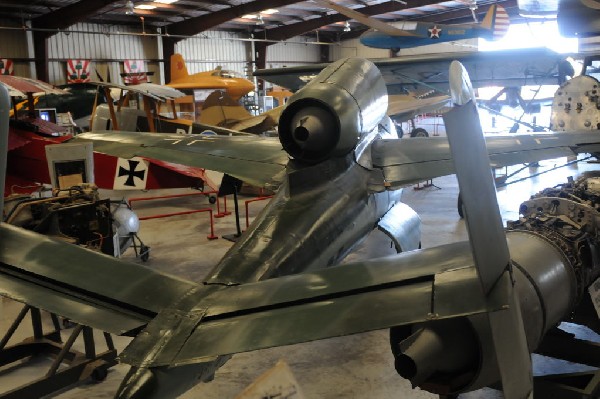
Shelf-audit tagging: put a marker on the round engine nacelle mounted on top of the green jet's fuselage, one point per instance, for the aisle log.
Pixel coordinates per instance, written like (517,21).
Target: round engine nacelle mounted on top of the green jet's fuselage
(329,116)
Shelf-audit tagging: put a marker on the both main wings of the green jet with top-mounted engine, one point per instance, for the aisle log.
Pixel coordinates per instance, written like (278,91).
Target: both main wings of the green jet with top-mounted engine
(257,160)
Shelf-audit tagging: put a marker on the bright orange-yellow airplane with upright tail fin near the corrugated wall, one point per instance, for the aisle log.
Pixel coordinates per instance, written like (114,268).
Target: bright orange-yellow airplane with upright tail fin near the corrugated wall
(218,79)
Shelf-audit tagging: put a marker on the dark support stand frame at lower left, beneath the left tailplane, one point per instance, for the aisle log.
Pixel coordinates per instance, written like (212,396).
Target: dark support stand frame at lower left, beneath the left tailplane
(79,366)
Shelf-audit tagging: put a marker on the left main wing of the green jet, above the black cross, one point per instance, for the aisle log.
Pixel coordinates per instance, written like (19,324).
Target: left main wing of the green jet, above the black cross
(255,160)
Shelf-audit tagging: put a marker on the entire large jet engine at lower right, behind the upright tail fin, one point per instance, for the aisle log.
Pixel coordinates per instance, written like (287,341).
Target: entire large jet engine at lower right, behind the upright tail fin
(554,248)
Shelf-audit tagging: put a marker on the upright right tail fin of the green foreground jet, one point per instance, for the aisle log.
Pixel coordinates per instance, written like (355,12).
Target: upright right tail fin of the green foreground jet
(486,234)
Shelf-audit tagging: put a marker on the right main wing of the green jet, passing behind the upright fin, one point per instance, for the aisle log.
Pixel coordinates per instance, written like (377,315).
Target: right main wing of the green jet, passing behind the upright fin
(413,160)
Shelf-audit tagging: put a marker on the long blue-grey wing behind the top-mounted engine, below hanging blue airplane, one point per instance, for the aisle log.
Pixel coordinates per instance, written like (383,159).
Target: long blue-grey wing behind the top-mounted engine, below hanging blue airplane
(506,68)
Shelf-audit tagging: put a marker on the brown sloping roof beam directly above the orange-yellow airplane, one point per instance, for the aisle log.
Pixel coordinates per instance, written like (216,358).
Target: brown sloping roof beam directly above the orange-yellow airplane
(195,25)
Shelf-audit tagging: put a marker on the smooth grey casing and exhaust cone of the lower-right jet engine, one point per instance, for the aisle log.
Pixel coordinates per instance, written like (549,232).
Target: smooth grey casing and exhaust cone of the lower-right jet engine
(457,358)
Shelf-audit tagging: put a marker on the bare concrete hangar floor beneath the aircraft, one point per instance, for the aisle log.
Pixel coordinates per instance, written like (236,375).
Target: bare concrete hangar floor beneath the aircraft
(359,366)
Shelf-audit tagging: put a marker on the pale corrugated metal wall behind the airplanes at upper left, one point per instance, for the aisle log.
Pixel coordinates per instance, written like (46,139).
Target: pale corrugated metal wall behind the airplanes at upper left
(108,46)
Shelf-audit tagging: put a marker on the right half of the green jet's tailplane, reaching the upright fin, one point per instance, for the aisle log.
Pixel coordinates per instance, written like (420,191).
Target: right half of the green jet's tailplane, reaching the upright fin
(352,298)
